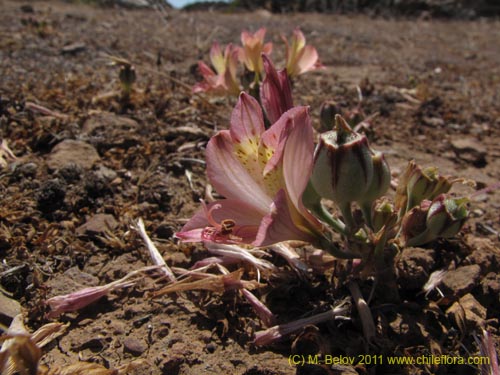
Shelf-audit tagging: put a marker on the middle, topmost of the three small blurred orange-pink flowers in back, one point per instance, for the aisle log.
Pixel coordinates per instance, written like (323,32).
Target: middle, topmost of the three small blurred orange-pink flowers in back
(253,48)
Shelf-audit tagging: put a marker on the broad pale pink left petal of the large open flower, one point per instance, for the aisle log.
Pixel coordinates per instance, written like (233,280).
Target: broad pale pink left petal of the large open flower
(230,177)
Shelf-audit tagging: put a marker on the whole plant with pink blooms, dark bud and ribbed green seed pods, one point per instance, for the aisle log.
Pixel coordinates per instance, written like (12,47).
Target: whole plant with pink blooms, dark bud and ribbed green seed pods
(274,181)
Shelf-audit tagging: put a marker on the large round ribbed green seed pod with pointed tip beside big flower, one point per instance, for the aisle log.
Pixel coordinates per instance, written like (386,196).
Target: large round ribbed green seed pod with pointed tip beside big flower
(343,167)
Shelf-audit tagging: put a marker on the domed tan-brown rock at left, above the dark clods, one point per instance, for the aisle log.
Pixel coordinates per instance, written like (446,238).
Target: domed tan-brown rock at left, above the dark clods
(72,152)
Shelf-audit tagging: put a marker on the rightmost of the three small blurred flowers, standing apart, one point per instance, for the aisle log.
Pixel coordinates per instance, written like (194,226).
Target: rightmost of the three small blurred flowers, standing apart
(299,57)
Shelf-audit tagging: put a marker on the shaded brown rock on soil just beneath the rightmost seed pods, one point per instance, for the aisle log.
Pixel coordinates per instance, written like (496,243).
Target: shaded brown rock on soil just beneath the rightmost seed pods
(414,266)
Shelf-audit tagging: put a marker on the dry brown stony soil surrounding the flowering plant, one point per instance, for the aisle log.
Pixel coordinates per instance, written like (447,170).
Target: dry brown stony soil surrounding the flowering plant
(434,84)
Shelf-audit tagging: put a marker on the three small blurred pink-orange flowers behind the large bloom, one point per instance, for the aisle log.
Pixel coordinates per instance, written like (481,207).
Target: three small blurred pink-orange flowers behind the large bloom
(222,78)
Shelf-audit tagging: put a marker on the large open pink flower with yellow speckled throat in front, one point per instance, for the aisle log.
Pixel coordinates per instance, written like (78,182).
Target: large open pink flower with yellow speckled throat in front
(262,173)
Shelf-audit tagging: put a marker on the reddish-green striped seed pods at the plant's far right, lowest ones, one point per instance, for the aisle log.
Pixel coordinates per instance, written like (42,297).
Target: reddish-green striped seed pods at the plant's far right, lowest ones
(441,218)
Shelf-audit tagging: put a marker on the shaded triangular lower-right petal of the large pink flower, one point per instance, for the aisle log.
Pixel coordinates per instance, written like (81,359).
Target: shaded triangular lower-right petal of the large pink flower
(278,225)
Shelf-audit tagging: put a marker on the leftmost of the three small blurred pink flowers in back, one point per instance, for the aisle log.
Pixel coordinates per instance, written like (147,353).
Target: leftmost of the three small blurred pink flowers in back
(223,80)
